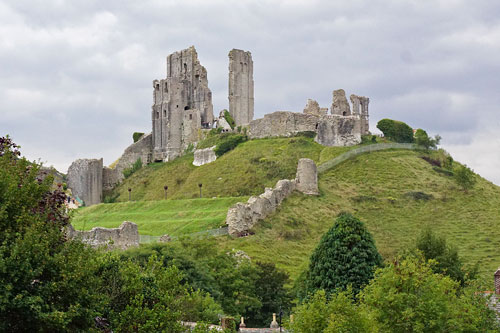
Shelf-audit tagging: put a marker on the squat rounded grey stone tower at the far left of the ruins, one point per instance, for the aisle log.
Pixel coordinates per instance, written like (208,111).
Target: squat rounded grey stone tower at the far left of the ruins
(85,180)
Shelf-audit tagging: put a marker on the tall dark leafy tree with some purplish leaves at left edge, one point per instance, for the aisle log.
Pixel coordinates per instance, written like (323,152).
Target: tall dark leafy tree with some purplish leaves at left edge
(46,283)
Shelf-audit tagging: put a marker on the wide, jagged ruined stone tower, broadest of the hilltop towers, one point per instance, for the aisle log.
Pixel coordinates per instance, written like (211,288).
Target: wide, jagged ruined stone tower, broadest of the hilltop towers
(182,105)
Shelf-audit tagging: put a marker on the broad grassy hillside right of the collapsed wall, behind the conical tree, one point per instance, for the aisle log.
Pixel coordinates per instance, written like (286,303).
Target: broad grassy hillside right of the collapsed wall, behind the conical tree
(373,187)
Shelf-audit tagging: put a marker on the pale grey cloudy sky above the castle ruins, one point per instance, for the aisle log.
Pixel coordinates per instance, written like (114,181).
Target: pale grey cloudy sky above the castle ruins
(76,76)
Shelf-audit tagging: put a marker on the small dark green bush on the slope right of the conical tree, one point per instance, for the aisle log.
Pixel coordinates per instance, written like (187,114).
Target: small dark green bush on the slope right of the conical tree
(446,258)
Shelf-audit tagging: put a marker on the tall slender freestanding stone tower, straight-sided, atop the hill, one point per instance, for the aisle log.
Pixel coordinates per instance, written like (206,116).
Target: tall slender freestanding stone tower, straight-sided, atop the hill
(241,98)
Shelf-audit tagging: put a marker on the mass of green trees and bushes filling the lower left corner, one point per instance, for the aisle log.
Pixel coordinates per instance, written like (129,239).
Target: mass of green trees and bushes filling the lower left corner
(51,284)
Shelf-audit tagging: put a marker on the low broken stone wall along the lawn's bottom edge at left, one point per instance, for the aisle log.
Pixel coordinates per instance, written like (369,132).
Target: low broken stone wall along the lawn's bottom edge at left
(123,237)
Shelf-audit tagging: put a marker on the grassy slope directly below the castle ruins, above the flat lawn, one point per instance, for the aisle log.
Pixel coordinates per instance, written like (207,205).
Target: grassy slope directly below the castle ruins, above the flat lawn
(247,170)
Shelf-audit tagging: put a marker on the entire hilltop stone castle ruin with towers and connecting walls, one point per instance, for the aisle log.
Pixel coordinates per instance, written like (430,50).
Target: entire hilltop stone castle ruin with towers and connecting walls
(182,114)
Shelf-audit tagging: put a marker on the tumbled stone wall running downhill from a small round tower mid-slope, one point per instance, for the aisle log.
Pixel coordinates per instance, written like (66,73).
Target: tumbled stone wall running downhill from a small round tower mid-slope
(243,216)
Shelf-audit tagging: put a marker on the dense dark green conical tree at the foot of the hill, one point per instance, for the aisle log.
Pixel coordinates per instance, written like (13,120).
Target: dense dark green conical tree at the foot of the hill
(345,256)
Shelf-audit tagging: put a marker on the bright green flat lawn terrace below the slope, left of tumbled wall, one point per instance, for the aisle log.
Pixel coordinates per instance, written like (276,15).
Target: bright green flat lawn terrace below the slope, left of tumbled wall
(156,218)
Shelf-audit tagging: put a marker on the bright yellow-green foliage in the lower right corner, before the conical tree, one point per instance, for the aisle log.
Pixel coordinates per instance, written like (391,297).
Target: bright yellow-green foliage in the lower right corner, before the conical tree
(404,296)
